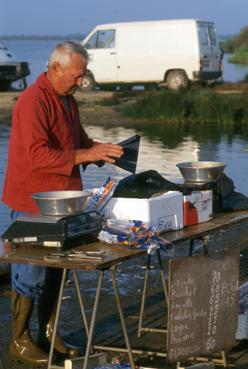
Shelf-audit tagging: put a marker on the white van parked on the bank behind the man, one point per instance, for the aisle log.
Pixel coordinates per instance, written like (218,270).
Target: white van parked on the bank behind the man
(168,51)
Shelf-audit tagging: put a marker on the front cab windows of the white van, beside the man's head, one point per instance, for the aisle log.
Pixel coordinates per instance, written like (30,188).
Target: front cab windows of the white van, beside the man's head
(102,39)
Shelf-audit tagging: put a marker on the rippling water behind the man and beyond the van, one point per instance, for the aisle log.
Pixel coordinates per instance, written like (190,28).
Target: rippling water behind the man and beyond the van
(162,146)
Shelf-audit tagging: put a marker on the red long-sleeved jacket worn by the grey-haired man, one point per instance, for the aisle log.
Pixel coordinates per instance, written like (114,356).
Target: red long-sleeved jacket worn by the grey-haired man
(43,140)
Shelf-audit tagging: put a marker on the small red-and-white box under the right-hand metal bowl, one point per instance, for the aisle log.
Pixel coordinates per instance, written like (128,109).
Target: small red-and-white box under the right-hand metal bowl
(197,207)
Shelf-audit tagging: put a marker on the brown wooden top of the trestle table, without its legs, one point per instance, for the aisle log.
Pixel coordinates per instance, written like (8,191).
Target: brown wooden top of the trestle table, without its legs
(113,254)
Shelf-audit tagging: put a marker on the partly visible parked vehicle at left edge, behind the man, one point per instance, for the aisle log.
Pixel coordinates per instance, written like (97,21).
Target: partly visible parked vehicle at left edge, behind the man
(11,69)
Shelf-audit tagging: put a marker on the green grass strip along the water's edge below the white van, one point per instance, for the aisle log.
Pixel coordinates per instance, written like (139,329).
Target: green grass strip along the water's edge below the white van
(199,106)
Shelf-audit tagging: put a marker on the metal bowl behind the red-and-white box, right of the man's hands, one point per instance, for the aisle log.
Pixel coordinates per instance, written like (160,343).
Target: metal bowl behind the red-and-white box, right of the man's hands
(201,171)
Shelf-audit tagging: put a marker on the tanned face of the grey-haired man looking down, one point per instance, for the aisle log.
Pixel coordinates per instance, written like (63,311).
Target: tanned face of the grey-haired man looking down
(67,78)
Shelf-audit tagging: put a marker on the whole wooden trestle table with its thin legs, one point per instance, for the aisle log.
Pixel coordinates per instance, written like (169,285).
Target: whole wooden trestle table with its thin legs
(113,256)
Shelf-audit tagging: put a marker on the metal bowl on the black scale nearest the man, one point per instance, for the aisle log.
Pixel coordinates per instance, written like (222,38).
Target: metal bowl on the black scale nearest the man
(61,202)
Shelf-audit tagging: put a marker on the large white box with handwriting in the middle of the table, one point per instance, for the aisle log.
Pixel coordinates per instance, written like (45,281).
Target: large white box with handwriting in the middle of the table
(165,211)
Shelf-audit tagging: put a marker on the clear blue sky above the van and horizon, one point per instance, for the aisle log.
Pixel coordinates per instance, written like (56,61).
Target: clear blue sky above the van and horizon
(63,17)
